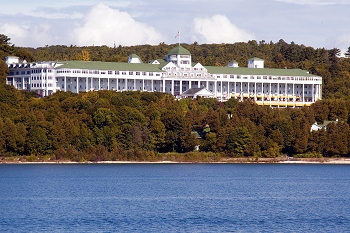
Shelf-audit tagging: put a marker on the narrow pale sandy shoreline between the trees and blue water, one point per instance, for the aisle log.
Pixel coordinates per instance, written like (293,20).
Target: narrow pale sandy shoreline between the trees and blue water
(224,161)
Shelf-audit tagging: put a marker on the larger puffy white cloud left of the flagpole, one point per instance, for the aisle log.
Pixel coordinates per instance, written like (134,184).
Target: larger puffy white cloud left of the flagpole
(104,25)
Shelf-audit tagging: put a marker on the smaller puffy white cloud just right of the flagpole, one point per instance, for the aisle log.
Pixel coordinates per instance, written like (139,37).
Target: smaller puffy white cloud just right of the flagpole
(218,29)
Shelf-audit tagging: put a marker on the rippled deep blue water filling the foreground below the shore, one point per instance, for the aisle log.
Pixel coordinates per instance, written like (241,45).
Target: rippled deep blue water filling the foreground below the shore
(174,198)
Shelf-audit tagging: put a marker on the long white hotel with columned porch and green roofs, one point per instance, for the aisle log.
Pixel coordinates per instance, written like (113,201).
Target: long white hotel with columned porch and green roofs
(174,75)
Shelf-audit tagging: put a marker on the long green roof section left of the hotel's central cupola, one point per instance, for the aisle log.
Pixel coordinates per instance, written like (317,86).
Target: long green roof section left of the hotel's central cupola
(98,65)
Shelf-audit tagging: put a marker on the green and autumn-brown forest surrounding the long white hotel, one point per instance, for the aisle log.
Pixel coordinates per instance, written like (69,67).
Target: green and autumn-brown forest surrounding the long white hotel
(144,126)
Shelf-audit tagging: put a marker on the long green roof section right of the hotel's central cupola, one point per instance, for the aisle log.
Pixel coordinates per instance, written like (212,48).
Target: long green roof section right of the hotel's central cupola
(257,71)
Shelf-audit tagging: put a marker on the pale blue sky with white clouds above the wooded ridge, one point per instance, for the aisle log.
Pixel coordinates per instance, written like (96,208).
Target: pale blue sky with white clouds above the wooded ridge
(37,23)
